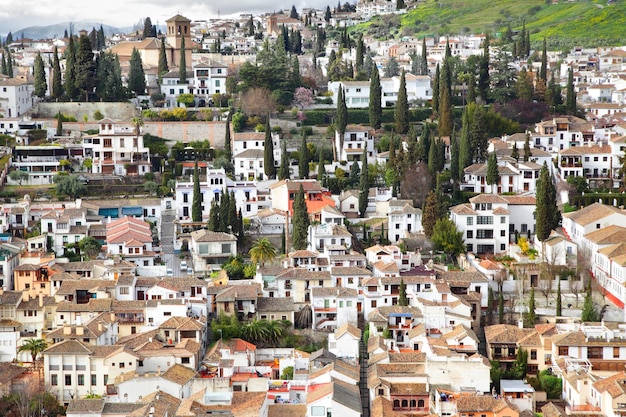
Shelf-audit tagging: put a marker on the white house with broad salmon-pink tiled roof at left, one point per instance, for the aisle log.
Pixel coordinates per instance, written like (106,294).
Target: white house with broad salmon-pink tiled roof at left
(131,239)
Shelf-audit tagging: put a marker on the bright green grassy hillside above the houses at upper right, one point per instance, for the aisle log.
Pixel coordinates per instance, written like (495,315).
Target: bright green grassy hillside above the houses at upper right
(578,22)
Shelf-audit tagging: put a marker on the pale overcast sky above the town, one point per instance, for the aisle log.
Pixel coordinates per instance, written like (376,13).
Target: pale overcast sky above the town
(15,15)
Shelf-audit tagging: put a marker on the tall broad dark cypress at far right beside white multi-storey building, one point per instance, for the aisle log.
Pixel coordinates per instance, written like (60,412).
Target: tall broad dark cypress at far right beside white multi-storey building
(547,214)
